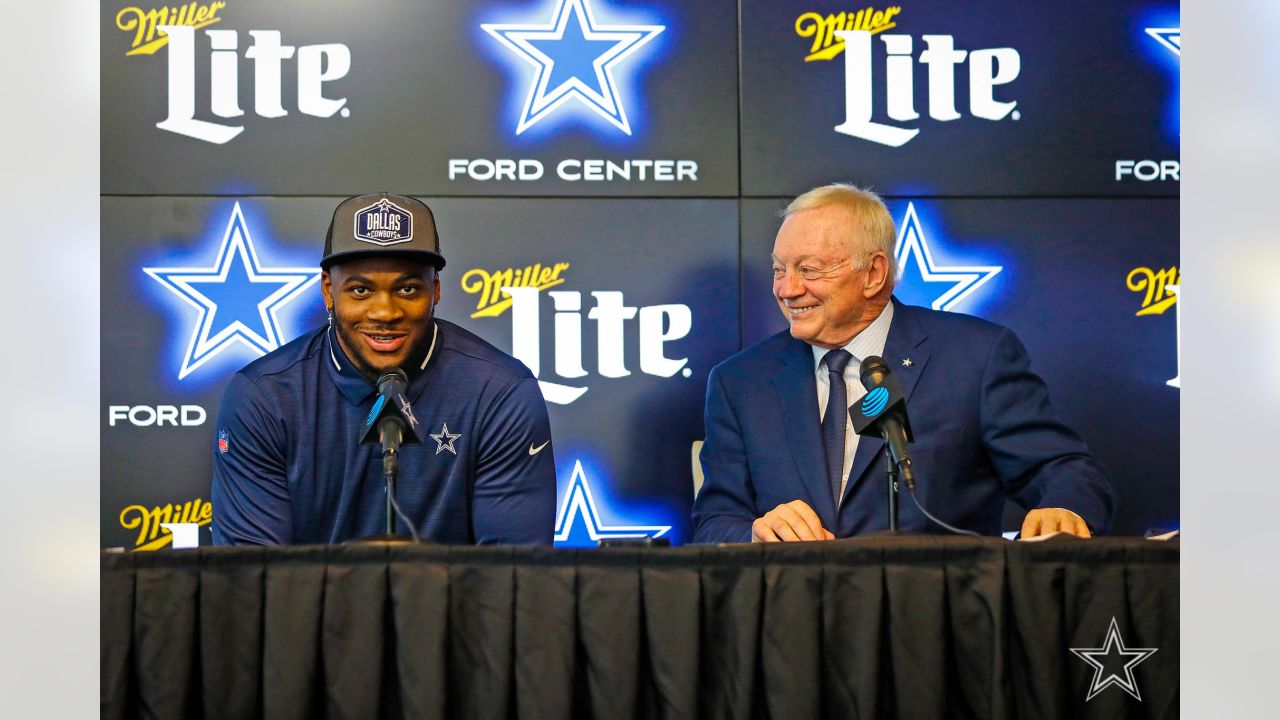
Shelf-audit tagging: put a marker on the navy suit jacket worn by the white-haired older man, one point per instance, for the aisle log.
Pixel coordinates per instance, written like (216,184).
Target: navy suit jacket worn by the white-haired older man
(984,425)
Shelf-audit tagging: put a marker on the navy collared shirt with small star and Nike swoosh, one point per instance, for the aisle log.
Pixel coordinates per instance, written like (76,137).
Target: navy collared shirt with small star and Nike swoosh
(289,467)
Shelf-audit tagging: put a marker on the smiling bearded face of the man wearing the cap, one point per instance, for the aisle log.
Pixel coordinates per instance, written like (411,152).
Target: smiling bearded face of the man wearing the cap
(382,312)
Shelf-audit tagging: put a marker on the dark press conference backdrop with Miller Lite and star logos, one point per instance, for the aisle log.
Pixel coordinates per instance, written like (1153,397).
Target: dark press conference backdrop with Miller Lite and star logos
(623,165)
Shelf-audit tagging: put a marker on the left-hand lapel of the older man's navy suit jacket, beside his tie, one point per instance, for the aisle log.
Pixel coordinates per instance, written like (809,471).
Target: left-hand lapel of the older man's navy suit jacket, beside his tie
(798,399)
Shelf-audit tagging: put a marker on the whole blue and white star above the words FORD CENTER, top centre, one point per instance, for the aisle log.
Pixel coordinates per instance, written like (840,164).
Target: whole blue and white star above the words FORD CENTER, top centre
(574,58)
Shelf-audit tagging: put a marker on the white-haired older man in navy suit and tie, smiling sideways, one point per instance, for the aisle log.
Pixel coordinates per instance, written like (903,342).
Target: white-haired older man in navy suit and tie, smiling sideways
(781,461)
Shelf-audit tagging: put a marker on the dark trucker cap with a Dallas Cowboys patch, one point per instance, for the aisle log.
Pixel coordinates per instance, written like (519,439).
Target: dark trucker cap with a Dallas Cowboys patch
(382,224)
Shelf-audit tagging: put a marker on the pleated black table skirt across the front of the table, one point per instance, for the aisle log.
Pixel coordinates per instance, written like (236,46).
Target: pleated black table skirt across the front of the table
(883,627)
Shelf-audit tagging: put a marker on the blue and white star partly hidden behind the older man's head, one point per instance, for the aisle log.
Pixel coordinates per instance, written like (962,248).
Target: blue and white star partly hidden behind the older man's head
(958,281)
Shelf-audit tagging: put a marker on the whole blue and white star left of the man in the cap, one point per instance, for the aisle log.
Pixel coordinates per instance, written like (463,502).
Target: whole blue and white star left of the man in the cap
(237,299)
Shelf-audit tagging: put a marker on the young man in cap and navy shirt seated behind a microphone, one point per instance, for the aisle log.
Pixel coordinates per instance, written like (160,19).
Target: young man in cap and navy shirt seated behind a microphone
(289,461)
